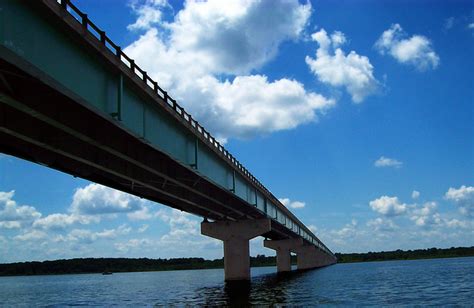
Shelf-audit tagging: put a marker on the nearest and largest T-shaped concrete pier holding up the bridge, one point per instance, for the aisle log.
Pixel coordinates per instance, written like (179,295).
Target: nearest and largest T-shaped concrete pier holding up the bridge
(236,236)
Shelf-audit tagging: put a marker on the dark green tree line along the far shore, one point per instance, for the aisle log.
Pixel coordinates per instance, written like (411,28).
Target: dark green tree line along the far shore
(99,265)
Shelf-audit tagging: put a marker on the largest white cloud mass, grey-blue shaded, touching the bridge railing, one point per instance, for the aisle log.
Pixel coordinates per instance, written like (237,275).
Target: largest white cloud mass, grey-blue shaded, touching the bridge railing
(212,39)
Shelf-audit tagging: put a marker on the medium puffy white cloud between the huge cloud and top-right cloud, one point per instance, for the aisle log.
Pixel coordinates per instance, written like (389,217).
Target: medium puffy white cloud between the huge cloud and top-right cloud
(334,67)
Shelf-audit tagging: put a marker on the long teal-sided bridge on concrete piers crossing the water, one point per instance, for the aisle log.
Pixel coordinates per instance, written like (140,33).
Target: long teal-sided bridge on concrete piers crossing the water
(72,100)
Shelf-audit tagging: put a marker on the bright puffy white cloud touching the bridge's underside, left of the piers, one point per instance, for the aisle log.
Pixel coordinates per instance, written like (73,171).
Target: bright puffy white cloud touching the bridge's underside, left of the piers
(95,199)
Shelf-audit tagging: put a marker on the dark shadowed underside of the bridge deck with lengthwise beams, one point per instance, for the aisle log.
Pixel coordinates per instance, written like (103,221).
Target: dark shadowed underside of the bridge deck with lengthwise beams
(40,123)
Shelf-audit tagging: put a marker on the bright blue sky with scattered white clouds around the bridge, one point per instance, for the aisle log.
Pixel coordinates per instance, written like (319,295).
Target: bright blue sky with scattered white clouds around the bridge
(358,115)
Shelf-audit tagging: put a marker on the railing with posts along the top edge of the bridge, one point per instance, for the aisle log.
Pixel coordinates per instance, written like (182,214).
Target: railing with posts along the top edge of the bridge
(116,50)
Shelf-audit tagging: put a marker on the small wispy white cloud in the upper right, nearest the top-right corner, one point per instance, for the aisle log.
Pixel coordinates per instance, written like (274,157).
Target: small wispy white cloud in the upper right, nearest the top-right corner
(416,50)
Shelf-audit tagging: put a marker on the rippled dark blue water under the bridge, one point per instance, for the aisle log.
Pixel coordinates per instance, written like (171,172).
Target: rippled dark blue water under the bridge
(427,282)
